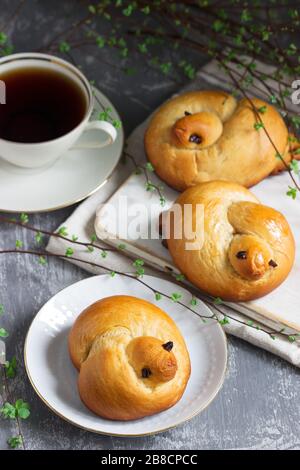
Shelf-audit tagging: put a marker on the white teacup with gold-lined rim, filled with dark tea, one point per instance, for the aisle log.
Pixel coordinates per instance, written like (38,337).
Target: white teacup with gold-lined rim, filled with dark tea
(36,155)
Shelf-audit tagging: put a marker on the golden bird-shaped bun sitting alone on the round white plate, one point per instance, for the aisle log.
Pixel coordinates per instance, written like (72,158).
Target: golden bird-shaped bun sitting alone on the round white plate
(127,367)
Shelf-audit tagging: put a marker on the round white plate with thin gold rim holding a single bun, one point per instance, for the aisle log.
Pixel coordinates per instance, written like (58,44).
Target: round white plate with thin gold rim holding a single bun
(55,379)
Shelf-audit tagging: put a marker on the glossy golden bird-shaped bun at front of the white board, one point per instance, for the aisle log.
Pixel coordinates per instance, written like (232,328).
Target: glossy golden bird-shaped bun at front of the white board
(248,248)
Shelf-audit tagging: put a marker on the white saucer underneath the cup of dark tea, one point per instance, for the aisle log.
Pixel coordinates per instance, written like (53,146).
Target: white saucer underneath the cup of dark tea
(72,178)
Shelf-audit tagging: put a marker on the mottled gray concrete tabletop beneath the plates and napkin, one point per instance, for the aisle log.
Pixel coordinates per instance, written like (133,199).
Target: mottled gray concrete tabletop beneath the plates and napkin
(259,405)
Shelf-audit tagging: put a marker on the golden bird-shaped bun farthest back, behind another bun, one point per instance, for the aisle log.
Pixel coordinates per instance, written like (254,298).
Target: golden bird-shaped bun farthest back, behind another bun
(217,141)
